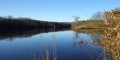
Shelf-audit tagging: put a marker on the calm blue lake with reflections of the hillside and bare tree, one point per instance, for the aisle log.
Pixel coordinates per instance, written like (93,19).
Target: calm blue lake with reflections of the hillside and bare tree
(53,45)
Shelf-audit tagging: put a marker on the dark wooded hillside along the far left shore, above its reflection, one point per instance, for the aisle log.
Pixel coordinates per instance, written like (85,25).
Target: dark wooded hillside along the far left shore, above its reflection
(10,23)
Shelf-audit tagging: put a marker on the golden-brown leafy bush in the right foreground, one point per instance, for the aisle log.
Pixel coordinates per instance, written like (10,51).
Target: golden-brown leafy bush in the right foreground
(111,40)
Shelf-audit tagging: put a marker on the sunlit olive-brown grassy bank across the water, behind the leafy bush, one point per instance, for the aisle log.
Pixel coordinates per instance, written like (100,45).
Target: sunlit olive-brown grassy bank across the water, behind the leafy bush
(88,24)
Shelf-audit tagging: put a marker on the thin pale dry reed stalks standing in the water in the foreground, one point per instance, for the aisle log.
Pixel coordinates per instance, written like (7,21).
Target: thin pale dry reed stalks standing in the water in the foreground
(44,51)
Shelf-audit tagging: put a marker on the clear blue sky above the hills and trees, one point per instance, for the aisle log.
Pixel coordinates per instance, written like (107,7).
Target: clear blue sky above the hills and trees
(55,10)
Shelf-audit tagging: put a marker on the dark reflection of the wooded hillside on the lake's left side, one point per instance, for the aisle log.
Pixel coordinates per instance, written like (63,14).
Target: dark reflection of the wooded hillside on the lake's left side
(11,35)
